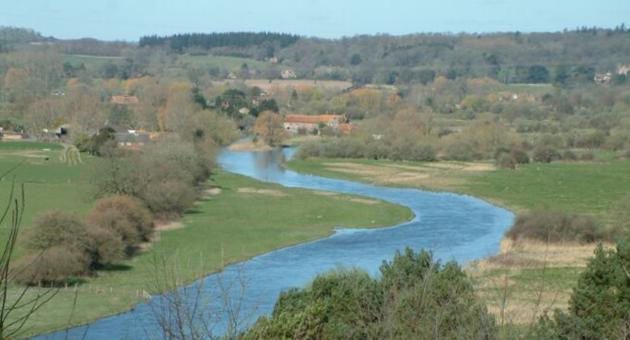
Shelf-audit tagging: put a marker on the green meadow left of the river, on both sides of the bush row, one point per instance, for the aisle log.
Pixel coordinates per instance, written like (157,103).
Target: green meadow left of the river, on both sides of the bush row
(247,218)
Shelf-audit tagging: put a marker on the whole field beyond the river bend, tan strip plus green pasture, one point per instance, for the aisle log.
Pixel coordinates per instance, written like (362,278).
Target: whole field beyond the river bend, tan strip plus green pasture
(580,187)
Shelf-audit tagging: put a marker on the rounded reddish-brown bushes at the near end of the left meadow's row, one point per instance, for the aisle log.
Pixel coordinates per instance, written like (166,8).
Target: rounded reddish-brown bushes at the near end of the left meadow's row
(65,246)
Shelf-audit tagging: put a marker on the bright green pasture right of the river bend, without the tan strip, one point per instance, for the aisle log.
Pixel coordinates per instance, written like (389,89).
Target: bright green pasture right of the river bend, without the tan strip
(585,188)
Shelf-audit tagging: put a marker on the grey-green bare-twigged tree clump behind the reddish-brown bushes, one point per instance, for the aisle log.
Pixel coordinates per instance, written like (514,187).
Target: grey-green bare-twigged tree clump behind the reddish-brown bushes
(163,175)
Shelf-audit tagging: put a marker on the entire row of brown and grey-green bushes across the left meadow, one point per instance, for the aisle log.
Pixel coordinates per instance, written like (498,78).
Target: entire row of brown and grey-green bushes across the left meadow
(134,188)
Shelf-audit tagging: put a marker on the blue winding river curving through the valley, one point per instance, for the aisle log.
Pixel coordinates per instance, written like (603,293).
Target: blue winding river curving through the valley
(454,227)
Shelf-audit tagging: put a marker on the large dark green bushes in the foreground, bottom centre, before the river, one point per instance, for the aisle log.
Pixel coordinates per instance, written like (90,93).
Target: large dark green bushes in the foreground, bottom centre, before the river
(414,298)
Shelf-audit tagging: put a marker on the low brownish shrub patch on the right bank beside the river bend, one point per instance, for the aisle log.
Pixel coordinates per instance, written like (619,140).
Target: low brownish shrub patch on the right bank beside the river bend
(549,226)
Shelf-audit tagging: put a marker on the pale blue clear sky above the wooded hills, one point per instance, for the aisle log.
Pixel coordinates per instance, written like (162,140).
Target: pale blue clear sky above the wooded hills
(131,19)
